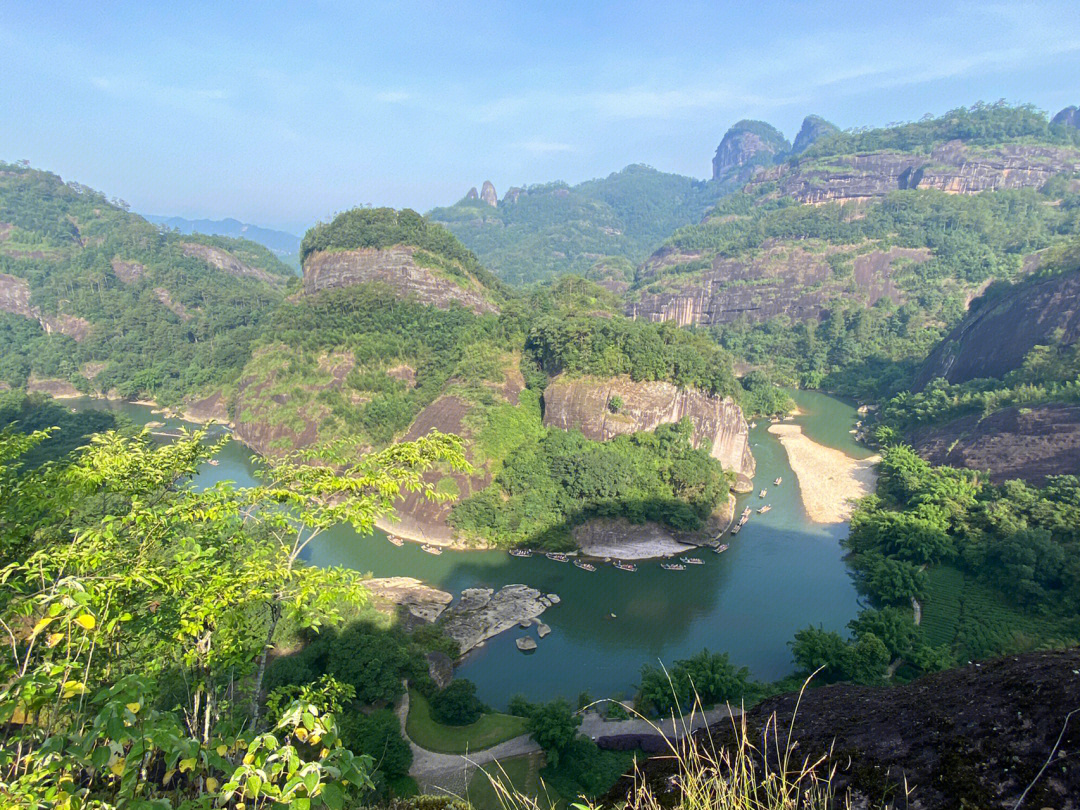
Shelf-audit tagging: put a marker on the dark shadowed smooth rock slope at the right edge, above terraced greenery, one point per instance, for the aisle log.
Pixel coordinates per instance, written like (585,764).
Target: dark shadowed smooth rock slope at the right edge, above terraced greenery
(1001,331)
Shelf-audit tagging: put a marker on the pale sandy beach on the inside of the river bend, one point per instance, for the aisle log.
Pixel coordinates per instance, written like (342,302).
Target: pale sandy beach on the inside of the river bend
(829,479)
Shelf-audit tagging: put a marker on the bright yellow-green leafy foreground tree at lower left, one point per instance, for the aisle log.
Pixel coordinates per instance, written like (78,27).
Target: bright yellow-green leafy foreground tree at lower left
(138,611)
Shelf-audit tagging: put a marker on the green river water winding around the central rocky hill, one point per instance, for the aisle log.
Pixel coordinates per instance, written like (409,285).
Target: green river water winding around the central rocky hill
(781,574)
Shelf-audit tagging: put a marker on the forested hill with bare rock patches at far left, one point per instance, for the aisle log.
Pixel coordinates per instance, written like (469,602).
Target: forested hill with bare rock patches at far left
(98,299)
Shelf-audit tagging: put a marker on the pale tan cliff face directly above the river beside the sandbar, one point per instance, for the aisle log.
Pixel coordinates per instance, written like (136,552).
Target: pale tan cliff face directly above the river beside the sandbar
(719,424)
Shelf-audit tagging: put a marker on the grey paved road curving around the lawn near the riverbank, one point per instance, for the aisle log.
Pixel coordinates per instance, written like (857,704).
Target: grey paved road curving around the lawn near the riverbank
(450,774)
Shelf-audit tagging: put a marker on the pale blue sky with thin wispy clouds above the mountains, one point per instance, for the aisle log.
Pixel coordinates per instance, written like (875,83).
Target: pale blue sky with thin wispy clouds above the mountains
(282,114)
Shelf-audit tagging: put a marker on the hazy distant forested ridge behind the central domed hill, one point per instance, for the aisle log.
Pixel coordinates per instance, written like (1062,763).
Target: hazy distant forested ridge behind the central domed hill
(552,229)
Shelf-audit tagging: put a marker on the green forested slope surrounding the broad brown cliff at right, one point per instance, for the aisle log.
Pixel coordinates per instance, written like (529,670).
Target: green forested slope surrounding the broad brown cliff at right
(870,353)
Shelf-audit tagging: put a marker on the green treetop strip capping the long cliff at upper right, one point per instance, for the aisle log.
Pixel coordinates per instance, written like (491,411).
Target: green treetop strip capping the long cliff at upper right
(979,125)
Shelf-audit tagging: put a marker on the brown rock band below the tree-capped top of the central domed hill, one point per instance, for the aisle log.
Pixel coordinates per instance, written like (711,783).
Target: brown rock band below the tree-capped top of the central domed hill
(398,268)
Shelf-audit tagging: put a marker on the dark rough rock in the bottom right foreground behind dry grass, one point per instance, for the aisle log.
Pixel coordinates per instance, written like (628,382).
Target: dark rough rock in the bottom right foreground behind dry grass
(975,737)
